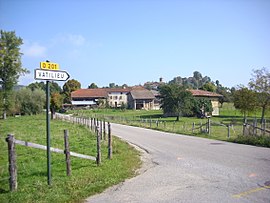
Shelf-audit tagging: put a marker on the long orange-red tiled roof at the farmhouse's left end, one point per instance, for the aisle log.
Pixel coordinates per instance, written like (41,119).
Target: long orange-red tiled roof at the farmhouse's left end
(89,93)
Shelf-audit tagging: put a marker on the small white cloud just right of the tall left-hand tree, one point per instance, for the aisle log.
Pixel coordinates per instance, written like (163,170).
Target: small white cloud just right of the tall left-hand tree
(34,50)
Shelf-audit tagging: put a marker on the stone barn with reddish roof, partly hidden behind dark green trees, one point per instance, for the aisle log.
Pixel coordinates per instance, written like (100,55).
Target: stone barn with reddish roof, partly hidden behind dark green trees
(213,97)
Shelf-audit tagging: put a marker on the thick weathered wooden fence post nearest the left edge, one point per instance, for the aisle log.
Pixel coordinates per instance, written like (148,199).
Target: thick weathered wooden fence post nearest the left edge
(12,163)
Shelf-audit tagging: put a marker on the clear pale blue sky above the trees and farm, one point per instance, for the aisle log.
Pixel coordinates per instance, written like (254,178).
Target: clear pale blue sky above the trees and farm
(135,41)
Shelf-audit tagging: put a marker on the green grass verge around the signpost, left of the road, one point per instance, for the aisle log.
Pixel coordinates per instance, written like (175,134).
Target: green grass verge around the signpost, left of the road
(86,177)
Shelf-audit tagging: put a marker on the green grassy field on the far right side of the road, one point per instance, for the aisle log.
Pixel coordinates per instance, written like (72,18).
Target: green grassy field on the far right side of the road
(186,125)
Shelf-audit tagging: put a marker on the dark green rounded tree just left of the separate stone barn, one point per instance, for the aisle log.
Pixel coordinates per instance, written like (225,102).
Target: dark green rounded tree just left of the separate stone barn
(175,100)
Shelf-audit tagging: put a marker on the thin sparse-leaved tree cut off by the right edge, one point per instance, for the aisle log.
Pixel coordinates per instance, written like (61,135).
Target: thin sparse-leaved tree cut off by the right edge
(260,83)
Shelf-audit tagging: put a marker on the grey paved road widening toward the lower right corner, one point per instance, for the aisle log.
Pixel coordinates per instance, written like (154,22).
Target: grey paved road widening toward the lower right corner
(190,169)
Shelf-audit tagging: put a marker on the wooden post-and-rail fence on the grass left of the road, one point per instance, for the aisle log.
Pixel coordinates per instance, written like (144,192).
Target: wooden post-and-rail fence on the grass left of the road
(93,124)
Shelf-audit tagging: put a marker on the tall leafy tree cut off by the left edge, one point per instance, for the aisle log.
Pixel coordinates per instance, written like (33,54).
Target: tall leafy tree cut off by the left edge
(10,65)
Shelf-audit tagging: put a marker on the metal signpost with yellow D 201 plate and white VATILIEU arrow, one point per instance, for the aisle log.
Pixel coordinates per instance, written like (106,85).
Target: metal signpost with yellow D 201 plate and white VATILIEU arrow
(50,72)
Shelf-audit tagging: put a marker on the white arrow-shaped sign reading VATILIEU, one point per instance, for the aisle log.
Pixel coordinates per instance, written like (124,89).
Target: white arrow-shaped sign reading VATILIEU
(55,75)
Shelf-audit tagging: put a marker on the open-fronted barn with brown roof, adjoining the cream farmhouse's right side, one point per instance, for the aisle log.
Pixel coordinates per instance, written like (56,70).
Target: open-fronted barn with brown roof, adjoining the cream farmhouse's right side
(140,99)
